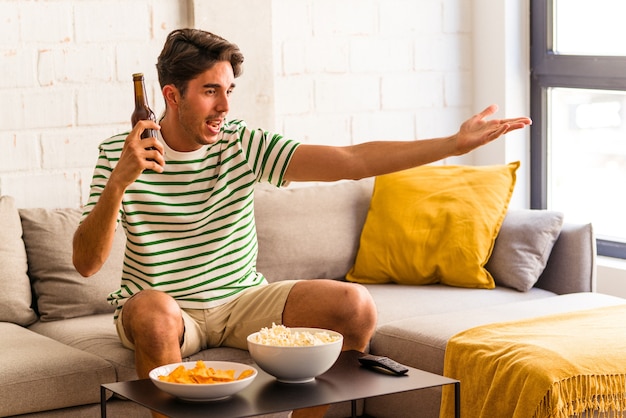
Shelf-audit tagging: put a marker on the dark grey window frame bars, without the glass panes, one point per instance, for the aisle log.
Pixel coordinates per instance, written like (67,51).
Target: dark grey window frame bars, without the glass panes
(549,69)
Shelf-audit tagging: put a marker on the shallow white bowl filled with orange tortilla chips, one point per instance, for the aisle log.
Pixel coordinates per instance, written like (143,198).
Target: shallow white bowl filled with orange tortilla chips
(201,381)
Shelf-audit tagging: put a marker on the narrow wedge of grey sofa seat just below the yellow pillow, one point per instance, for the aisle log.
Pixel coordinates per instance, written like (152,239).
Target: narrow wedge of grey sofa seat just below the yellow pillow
(396,302)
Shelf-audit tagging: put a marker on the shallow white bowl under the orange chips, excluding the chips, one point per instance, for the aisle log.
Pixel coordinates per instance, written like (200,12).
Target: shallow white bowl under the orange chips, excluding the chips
(203,392)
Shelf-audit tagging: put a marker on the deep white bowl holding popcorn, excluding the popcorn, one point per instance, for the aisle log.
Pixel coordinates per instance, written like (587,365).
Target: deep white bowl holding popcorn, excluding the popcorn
(296,364)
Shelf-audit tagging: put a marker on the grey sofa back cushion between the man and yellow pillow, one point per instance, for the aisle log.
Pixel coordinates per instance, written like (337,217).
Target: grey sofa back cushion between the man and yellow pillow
(310,232)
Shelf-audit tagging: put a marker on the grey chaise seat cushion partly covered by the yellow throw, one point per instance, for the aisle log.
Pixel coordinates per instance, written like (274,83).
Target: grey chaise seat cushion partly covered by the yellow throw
(421,342)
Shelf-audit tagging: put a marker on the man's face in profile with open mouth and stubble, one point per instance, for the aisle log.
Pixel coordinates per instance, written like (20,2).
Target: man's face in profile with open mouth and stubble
(203,108)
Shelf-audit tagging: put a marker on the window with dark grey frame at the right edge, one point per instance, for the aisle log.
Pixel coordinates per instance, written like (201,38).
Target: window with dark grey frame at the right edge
(578,106)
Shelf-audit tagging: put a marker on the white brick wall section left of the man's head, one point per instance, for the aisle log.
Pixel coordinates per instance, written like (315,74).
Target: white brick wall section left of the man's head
(66,84)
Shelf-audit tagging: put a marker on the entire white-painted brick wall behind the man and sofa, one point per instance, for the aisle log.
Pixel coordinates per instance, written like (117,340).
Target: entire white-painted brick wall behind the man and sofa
(340,72)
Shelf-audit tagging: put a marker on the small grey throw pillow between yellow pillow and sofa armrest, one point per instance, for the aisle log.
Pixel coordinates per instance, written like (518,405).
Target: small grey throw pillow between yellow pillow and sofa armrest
(523,246)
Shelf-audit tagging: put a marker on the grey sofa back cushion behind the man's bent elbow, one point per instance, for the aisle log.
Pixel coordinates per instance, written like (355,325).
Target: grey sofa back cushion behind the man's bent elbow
(60,291)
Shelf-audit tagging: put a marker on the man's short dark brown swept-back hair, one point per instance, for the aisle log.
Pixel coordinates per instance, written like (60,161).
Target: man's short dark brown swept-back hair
(189,52)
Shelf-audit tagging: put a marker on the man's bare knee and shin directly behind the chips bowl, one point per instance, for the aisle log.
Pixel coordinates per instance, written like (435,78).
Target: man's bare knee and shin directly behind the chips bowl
(153,323)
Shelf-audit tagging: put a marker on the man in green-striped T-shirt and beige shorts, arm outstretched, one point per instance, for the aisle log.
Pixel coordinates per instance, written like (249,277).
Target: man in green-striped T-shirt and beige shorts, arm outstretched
(185,199)
